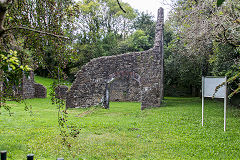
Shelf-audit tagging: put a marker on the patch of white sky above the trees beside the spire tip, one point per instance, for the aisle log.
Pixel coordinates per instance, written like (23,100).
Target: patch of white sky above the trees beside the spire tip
(150,6)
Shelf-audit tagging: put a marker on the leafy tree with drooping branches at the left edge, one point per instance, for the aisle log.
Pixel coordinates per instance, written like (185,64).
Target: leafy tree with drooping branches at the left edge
(28,28)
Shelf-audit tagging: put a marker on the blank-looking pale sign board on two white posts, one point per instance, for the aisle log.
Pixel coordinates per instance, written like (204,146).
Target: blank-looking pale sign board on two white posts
(209,85)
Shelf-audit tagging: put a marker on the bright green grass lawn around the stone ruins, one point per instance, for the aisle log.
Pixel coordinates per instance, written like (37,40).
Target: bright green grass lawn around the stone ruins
(173,131)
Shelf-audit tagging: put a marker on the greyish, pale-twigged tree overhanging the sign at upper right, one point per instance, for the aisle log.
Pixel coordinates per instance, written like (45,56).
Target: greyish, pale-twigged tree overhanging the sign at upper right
(202,28)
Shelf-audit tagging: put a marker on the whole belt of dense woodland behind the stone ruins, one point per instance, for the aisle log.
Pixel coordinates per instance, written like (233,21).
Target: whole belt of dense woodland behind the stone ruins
(56,37)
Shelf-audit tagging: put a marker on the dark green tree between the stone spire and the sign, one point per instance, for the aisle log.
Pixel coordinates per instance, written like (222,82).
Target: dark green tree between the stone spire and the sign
(182,72)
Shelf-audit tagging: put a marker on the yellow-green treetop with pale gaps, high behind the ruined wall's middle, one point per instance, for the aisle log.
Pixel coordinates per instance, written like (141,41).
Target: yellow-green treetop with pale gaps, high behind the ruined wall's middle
(103,16)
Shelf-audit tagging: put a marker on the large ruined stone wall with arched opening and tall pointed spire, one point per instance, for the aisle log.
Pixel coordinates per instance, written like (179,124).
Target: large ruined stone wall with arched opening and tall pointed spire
(143,70)
